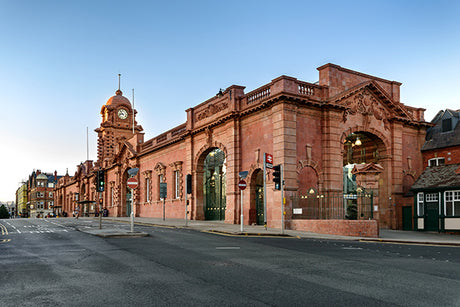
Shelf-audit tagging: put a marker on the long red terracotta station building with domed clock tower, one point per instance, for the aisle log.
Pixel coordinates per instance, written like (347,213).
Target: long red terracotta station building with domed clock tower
(346,133)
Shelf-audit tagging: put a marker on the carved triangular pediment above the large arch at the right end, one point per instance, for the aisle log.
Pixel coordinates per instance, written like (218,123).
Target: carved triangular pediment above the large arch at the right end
(369,99)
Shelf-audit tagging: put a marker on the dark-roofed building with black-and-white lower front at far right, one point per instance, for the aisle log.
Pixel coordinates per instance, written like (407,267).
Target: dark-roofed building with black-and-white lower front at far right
(437,190)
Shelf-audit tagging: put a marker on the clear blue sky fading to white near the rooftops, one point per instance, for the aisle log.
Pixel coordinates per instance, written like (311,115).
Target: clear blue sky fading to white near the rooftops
(60,60)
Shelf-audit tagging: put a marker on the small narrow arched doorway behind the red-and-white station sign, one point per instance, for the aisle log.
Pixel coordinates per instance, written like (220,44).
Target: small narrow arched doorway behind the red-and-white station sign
(256,214)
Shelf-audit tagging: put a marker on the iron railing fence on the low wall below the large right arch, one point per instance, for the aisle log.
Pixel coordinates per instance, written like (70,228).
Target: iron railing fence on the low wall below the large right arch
(333,205)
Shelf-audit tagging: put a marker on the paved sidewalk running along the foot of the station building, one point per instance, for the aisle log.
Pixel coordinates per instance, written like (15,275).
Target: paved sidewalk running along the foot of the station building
(386,235)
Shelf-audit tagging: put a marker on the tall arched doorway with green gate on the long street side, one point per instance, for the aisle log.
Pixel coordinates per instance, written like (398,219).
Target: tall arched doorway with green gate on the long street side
(214,185)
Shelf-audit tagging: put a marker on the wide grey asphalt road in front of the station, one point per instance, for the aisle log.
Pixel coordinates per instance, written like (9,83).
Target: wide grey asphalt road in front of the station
(47,262)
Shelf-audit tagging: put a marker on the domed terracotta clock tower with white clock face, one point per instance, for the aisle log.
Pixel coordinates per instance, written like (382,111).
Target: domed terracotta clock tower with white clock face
(118,124)
